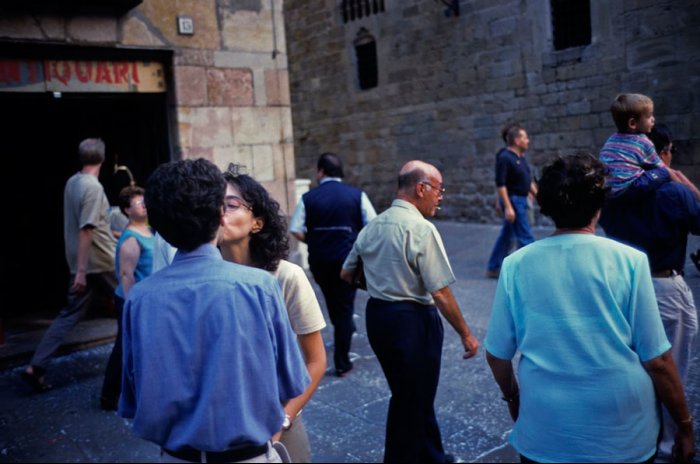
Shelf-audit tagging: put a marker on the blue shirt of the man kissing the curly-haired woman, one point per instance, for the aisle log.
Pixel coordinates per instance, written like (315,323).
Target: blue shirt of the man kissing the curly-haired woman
(209,355)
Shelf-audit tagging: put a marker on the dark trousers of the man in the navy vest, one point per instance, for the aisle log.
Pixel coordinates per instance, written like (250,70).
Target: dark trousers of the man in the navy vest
(340,301)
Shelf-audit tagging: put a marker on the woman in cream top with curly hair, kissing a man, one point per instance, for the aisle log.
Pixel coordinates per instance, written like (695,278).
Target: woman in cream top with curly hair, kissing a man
(255,234)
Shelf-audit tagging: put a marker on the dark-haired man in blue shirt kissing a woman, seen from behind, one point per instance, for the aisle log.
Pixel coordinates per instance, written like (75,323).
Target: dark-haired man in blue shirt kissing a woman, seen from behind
(209,354)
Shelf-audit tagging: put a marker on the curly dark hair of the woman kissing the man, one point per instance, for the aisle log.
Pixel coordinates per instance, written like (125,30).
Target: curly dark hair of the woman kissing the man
(271,244)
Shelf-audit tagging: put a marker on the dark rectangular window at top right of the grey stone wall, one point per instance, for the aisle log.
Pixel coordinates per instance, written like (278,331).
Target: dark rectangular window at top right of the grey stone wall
(571,23)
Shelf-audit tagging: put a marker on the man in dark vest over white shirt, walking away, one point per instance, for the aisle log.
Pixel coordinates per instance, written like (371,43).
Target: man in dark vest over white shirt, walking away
(328,218)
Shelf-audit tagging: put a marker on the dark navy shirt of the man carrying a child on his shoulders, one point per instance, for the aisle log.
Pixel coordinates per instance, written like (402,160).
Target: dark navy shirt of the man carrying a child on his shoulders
(657,223)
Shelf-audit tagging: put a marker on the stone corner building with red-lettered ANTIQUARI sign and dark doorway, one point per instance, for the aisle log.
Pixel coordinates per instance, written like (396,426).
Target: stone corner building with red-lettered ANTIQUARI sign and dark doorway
(157,80)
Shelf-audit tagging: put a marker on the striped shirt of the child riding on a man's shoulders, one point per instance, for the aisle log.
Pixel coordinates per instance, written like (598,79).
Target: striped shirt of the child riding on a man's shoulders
(627,156)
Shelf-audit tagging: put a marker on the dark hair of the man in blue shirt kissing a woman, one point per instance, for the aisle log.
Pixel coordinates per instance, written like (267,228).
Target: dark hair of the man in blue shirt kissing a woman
(185,201)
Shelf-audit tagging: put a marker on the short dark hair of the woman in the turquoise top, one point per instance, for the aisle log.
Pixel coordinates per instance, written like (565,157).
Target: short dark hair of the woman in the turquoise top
(572,190)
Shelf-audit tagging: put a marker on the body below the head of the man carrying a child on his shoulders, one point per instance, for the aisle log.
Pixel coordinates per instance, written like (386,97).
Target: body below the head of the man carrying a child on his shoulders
(658,223)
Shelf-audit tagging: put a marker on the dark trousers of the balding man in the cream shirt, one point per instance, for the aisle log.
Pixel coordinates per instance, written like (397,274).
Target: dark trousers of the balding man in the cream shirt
(407,339)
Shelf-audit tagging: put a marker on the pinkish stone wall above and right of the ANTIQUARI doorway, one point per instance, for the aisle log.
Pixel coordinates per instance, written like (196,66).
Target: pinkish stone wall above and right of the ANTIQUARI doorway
(231,89)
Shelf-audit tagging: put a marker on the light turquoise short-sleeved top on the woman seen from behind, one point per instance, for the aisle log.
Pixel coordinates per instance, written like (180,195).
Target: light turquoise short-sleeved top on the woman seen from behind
(581,311)
